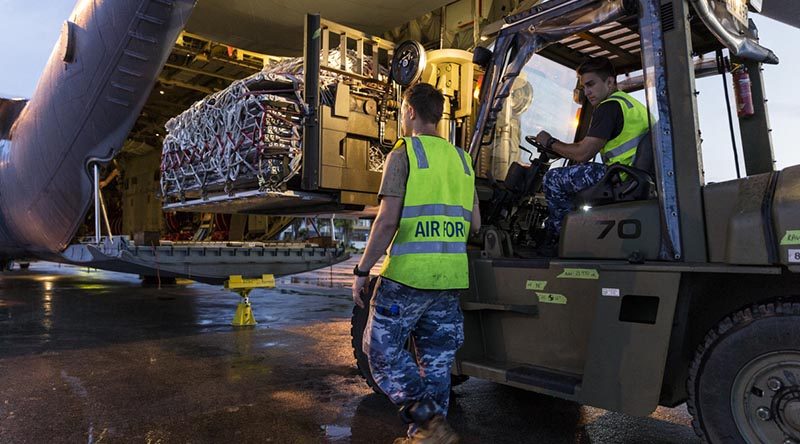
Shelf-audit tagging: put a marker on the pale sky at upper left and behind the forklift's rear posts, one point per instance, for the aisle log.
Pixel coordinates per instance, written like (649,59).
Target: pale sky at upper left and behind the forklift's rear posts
(28,34)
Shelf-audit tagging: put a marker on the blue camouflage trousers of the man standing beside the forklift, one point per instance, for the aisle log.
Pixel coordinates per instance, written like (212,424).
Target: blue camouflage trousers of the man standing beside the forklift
(434,321)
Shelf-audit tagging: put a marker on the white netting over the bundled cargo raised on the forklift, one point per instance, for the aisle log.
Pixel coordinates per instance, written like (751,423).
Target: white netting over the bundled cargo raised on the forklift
(248,135)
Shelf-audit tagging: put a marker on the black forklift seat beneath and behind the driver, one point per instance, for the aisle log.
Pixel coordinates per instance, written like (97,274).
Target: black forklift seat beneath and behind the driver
(639,184)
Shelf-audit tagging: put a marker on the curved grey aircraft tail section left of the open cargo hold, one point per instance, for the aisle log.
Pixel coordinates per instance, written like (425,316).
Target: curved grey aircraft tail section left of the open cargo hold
(94,86)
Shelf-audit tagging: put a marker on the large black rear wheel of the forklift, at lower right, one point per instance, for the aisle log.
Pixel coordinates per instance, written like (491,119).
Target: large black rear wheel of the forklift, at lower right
(744,382)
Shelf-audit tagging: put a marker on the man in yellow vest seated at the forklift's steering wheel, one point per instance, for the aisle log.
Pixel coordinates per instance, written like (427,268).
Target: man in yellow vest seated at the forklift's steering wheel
(618,123)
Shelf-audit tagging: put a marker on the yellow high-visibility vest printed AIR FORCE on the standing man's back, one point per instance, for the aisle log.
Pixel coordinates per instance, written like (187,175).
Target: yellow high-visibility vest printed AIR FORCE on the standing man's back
(429,250)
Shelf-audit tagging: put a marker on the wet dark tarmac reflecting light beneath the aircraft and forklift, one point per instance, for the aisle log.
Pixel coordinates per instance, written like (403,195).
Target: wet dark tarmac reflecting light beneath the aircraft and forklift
(96,357)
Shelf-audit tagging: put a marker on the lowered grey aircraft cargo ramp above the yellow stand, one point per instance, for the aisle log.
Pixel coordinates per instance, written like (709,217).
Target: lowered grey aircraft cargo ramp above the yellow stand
(209,262)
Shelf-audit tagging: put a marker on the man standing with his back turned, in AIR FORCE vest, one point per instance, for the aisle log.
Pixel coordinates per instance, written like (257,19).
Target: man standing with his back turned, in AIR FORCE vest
(428,208)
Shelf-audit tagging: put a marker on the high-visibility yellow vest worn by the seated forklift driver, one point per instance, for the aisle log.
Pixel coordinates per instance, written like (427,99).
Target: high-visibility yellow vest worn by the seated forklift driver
(622,149)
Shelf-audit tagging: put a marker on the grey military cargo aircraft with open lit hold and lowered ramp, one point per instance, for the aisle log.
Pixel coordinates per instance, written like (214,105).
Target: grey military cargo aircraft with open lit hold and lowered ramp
(121,69)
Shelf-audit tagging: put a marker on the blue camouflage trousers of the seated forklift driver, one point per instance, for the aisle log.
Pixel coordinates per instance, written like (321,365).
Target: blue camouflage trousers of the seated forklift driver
(561,185)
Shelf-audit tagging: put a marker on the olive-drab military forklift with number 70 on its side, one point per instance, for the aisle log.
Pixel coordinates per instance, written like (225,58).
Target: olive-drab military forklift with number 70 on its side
(665,289)
